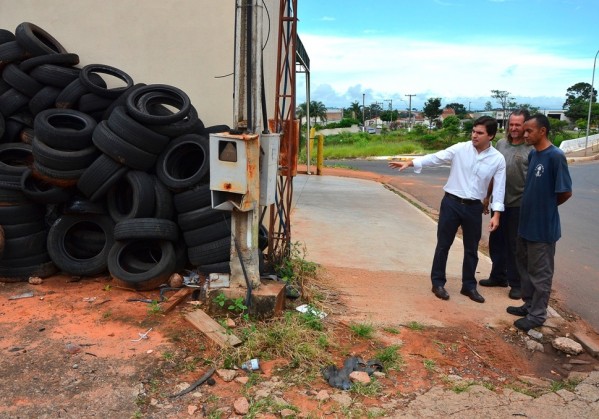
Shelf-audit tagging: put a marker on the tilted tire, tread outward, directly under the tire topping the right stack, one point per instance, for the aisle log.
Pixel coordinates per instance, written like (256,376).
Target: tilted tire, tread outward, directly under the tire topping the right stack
(135,133)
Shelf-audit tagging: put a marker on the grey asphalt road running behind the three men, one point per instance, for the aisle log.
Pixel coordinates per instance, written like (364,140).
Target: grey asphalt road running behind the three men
(576,280)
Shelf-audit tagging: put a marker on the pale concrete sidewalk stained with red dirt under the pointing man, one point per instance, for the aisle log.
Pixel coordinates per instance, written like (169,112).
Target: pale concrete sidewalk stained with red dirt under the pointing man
(369,230)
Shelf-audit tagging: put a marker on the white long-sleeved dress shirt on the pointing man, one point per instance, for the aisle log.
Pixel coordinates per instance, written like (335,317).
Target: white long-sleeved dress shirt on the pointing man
(471,171)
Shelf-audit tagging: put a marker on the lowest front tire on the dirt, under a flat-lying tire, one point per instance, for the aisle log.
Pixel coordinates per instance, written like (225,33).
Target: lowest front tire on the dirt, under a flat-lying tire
(128,275)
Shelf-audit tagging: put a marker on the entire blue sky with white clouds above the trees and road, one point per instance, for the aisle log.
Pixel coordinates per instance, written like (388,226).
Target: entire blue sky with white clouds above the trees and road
(458,50)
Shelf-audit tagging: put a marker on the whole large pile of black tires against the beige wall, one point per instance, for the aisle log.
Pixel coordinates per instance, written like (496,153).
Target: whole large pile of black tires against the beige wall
(96,178)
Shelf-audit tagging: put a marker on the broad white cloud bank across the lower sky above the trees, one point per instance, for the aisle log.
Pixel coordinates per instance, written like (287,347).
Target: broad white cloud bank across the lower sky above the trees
(387,66)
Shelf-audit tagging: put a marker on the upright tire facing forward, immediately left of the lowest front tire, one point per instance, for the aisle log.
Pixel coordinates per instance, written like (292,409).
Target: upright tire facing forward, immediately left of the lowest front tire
(59,235)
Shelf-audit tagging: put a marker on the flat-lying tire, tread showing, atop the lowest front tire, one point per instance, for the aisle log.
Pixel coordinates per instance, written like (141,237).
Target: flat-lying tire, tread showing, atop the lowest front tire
(146,228)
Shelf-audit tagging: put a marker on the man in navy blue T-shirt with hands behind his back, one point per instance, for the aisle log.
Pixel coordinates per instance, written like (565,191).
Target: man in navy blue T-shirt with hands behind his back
(548,185)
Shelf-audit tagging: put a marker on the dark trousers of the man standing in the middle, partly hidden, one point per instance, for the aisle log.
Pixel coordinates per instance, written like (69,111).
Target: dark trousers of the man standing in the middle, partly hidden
(502,248)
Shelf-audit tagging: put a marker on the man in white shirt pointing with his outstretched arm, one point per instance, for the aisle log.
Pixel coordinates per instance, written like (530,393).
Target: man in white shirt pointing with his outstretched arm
(473,165)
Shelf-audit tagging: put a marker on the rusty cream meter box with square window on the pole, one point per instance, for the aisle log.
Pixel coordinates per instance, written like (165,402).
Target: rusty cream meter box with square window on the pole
(234,171)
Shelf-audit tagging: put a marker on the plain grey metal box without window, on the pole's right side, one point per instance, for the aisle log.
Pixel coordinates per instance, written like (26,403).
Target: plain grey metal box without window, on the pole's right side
(269,167)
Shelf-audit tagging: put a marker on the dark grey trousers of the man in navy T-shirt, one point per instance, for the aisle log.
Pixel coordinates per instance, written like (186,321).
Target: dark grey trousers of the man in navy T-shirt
(536,263)
